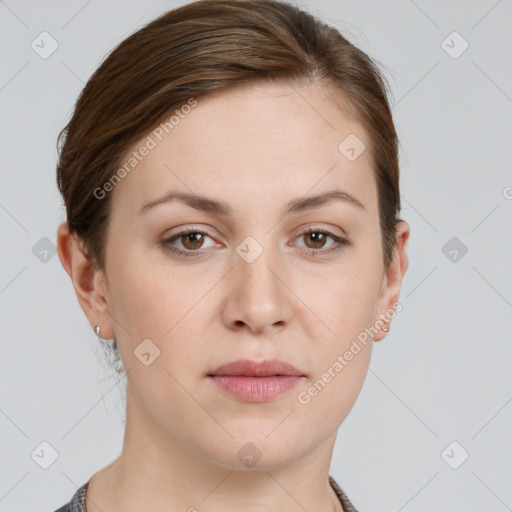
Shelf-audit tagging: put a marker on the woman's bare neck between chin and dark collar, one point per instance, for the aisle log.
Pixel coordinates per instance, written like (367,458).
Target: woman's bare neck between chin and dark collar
(158,470)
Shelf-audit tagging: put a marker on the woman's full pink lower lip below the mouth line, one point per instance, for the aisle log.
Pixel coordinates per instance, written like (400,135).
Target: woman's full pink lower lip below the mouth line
(255,389)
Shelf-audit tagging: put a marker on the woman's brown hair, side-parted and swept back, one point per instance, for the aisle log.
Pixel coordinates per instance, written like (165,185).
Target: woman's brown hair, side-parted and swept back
(204,46)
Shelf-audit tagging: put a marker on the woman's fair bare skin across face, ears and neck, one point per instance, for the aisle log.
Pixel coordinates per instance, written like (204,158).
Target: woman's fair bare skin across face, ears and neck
(256,147)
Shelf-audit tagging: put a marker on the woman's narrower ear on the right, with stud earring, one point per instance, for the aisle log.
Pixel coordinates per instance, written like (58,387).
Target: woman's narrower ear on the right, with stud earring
(392,280)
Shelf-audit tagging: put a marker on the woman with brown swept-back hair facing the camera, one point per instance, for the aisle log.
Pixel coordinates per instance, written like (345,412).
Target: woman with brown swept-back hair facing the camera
(231,182)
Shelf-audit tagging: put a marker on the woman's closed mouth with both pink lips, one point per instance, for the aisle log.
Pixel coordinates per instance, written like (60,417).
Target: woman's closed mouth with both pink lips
(250,381)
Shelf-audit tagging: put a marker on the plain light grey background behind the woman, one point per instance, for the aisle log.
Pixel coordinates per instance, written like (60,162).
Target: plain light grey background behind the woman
(442,374)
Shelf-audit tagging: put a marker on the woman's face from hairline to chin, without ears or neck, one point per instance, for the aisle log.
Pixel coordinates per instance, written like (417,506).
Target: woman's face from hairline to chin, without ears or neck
(260,275)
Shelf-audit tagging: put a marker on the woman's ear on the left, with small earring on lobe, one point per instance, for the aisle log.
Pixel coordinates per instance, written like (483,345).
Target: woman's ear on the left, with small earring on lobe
(89,283)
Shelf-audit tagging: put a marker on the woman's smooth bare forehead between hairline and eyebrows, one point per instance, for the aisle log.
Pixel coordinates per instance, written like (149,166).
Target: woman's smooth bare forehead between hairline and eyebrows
(261,143)
